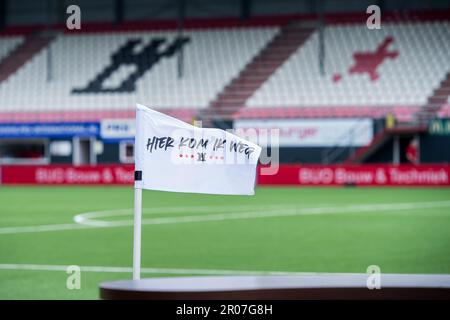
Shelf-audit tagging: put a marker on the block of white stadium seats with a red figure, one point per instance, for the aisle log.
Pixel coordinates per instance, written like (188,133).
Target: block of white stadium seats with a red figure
(408,61)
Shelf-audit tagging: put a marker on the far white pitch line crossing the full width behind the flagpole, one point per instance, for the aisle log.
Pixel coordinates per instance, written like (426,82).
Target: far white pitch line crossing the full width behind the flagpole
(258,212)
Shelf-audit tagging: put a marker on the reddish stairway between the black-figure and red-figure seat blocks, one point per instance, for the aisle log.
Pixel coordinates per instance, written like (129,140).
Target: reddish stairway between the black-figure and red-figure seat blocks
(257,71)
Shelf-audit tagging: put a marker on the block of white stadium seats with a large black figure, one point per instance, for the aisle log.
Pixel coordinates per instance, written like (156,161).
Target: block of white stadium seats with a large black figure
(209,63)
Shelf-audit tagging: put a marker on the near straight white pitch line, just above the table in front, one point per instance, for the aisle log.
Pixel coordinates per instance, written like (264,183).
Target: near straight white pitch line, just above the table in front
(102,269)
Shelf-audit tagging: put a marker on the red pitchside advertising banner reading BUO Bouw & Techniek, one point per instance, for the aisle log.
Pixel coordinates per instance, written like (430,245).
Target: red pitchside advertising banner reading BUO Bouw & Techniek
(303,175)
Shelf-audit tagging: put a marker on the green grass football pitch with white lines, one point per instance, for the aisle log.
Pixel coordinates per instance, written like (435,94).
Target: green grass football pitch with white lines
(278,229)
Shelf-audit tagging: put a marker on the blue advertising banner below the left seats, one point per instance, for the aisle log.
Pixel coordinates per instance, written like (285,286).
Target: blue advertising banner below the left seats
(49,130)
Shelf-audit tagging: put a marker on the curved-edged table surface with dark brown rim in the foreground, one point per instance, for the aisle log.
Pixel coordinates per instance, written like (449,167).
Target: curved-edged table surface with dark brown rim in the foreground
(339,286)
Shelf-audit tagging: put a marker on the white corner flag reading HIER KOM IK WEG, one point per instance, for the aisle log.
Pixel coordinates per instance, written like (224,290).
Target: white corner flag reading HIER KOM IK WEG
(175,156)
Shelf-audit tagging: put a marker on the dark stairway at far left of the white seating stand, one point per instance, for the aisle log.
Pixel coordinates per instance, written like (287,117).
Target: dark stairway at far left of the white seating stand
(23,53)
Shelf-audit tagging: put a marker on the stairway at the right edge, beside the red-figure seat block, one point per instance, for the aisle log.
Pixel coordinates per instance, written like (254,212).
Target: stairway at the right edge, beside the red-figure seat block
(435,102)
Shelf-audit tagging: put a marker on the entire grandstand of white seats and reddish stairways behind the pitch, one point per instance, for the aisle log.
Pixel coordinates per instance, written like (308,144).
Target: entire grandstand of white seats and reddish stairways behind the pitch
(311,64)
